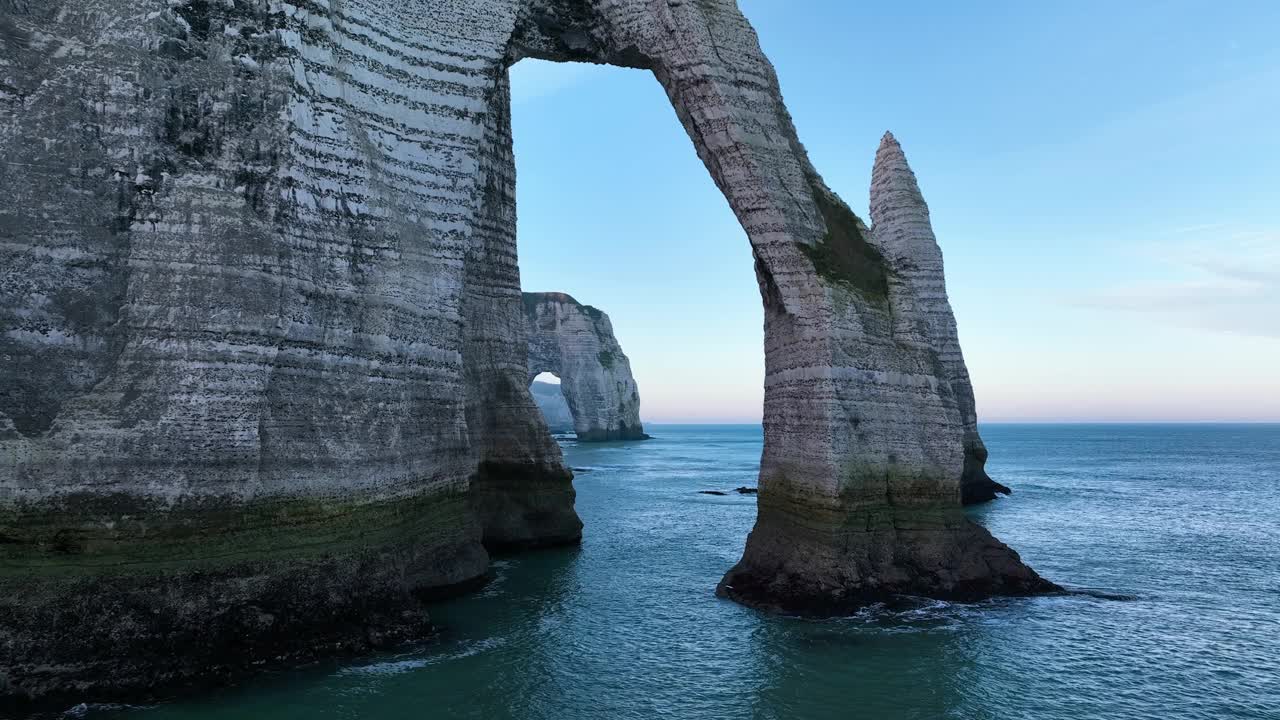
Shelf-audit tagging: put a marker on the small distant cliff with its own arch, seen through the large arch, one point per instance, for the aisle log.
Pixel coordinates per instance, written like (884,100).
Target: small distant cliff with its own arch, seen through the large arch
(577,344)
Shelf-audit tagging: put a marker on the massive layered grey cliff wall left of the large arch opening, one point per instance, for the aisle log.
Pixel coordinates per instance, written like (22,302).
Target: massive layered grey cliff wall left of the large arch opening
(262,344)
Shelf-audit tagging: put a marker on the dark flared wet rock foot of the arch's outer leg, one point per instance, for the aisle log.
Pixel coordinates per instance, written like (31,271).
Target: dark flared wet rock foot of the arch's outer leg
(813,571)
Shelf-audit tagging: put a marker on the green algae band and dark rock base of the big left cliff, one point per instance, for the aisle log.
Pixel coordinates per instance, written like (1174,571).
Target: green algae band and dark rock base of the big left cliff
(149,609)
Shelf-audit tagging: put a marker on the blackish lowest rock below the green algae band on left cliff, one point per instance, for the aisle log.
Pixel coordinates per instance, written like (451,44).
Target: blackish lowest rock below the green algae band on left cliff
(140,639)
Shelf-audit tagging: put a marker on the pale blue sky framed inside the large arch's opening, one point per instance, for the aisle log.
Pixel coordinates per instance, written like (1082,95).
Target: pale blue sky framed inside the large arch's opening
(666,261)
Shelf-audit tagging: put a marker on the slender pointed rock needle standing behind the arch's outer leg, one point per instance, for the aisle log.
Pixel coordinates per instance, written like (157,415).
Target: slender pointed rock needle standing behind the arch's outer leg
(906,236)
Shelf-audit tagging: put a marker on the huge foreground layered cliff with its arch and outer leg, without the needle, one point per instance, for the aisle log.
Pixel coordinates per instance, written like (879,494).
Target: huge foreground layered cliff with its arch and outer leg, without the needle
(264,366)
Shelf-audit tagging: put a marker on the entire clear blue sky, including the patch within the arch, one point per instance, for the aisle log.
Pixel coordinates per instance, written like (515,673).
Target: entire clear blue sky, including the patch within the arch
(1104,180)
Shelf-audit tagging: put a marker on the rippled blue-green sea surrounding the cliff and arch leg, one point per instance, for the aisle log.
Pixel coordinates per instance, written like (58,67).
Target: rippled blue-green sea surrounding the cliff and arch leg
(1172,531)
